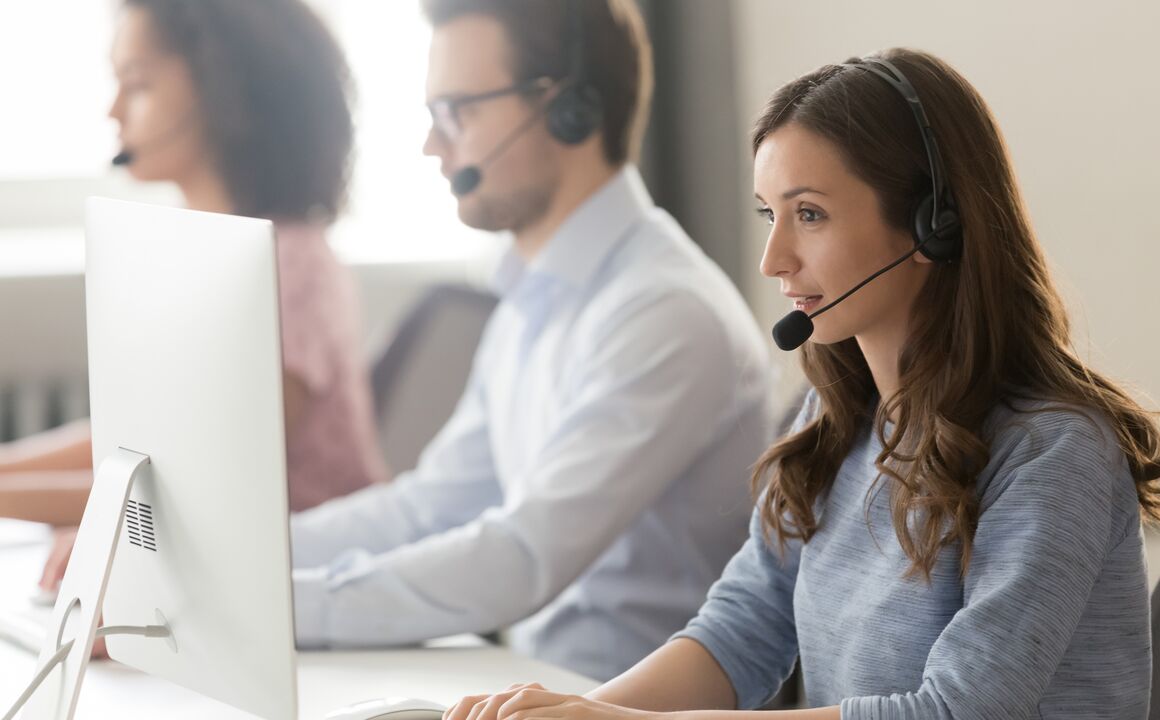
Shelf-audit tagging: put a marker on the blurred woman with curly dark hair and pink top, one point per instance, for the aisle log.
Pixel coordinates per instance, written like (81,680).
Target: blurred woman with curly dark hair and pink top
(245,107)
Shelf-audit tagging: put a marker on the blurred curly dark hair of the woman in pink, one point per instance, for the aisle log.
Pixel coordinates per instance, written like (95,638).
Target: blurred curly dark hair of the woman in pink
(275,92)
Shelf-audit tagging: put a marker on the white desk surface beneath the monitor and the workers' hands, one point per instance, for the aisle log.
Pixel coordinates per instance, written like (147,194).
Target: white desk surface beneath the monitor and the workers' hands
(443,673)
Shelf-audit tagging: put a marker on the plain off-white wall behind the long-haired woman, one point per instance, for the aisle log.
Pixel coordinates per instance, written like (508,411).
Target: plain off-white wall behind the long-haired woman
(1075,88)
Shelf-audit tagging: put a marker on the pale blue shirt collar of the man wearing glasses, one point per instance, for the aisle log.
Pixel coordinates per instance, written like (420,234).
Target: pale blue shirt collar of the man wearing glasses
(586,238)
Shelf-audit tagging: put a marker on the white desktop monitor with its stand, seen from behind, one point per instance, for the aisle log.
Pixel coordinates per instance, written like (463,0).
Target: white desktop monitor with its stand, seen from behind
(185,369)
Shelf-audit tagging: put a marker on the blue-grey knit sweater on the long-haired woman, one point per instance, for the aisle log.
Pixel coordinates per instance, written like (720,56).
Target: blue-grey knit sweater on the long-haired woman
(1050,622)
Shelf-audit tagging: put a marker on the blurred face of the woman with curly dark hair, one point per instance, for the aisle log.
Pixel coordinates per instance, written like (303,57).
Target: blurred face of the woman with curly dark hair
(156,106)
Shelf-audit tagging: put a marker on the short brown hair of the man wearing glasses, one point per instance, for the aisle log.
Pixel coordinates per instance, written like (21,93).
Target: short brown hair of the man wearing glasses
(618,55)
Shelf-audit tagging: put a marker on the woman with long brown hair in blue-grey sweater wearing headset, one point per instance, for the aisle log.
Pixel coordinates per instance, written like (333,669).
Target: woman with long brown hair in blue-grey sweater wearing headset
(953,527)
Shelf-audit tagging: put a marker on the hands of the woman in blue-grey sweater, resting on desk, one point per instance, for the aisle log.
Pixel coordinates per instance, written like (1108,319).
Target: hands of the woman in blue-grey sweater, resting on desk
(532,702)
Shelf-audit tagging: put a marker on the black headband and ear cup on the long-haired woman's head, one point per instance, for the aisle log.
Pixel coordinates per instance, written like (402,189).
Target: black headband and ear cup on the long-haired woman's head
(936,224)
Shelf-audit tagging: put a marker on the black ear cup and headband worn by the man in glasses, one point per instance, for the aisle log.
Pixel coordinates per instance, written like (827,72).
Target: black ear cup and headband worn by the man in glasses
(577,111)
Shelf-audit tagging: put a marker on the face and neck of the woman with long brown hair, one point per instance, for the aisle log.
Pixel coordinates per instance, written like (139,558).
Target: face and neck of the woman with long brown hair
(829,235)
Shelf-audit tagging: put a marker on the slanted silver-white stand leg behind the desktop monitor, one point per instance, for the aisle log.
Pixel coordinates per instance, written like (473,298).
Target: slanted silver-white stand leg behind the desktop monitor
(78,607)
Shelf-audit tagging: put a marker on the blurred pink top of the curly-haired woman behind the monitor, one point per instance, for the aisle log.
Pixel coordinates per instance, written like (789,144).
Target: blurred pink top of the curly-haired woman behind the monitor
(333,448)
